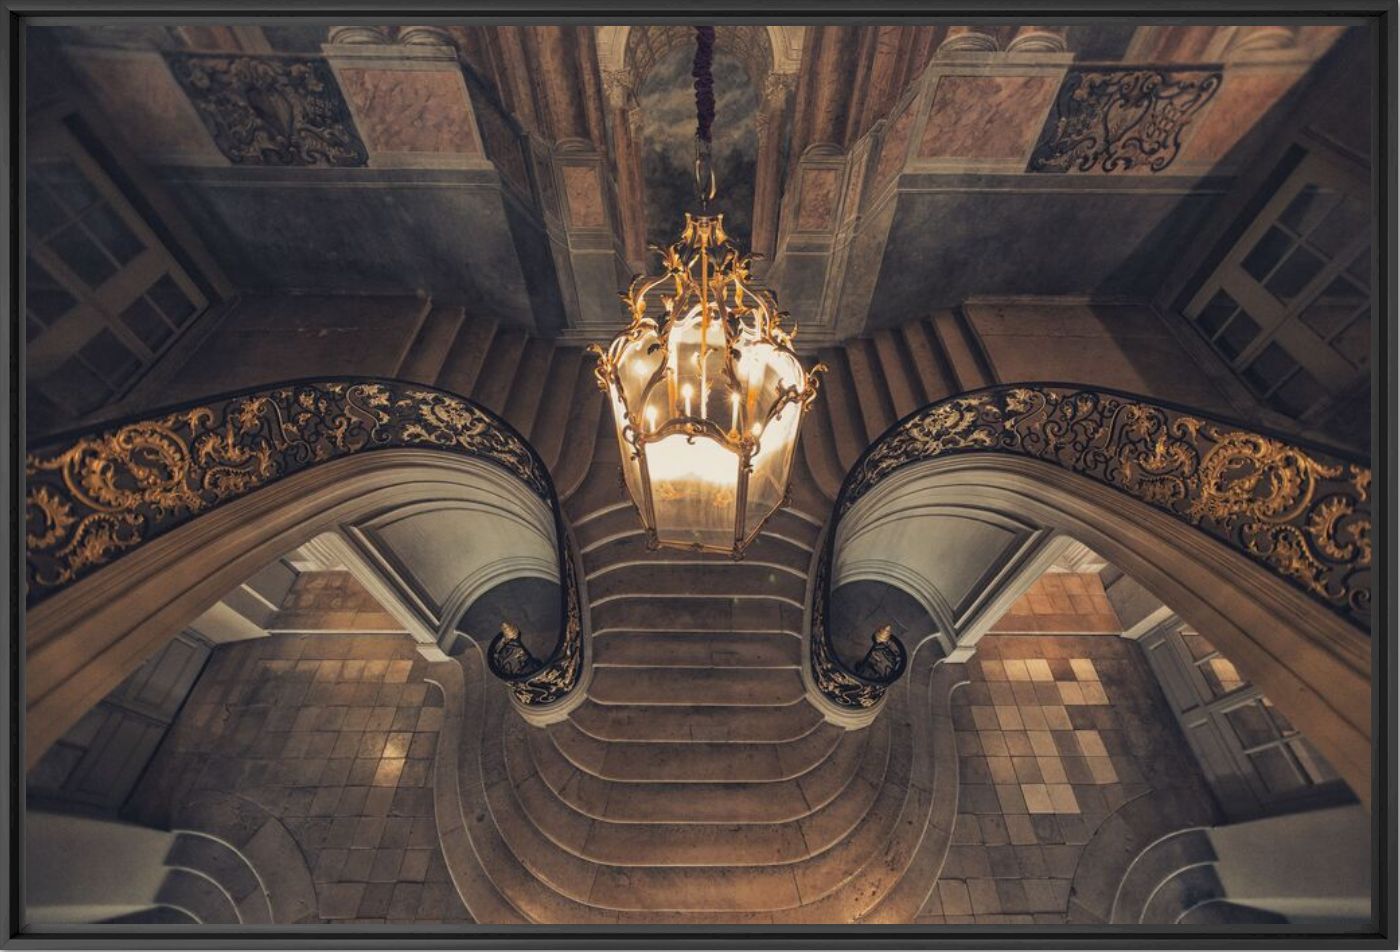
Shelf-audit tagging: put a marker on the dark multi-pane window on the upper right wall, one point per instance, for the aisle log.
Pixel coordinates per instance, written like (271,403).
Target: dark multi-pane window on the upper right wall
(1290,306)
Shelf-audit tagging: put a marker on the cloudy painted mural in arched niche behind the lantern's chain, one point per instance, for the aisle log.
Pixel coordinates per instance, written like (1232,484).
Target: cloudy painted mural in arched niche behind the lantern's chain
(668,127)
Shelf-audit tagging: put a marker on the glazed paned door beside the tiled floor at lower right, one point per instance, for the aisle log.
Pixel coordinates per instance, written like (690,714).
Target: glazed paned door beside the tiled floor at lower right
(1256,761)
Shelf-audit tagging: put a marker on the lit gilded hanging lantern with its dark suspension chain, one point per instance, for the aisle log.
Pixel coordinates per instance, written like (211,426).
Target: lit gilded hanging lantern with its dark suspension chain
(706,390)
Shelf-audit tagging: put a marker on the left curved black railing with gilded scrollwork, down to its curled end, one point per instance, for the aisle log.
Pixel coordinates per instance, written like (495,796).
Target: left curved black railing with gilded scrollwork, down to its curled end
(97,496)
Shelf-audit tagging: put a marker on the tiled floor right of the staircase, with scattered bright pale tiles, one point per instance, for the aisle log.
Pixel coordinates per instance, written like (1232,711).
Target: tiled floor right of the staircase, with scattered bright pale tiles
(1055,733)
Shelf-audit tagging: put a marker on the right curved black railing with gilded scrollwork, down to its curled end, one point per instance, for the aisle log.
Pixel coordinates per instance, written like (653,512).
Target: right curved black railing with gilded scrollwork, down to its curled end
(1298,510)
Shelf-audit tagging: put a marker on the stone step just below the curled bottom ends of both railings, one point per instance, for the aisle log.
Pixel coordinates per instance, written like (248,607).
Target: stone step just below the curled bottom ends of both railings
(701,724)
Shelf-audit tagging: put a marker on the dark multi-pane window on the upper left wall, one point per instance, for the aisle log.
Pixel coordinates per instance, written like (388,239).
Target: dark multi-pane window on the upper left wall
(103,295)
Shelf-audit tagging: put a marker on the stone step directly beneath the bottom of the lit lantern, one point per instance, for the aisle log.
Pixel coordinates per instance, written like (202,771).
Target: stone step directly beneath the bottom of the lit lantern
(661,576)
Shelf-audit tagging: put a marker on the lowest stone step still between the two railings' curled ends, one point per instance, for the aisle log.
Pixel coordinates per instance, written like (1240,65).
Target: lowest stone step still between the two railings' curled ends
(698,687)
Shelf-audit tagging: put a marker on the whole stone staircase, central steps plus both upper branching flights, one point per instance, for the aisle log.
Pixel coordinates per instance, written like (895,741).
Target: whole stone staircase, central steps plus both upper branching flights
(695,782)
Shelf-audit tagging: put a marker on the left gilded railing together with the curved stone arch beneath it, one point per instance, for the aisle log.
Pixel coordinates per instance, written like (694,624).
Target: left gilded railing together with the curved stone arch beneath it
(136,528)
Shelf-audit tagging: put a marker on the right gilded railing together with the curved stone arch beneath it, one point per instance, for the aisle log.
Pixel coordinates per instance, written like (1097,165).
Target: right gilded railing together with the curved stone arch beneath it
(1262,542)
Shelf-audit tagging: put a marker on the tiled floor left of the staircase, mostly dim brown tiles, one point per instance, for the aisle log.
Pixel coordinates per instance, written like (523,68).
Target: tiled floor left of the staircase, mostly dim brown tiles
(334,734)
